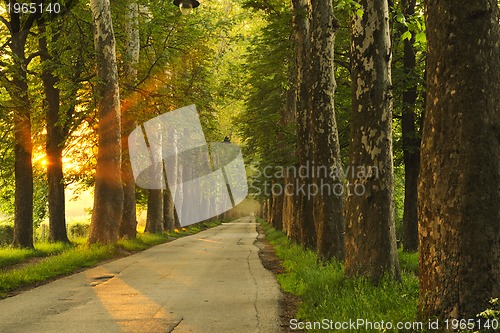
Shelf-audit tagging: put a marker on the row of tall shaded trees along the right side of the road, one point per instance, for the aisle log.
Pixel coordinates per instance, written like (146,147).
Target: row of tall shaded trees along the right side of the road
(446,73)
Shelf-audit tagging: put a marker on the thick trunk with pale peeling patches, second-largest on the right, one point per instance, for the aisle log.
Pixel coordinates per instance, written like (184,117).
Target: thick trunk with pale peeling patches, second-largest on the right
(370,232)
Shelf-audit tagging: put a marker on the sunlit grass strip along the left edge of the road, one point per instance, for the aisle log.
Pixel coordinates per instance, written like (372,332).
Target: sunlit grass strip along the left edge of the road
(64,259)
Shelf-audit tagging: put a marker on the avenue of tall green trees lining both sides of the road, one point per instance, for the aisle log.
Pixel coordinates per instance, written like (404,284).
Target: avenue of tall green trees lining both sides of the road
(365,125)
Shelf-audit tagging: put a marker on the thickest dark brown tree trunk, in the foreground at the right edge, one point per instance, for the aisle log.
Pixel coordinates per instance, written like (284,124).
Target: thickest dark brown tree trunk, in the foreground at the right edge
(459,187)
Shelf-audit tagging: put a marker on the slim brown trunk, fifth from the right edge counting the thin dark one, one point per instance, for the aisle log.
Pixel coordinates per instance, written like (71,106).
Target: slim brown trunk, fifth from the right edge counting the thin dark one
(301,22)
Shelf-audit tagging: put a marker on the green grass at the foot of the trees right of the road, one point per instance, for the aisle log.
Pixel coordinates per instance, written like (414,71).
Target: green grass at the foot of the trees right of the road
(327,294)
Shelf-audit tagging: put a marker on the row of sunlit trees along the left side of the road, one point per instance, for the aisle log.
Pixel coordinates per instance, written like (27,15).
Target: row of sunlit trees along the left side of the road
(76,82)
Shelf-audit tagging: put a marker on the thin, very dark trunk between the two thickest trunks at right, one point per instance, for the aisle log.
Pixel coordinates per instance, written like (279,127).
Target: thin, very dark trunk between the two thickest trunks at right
(411,139)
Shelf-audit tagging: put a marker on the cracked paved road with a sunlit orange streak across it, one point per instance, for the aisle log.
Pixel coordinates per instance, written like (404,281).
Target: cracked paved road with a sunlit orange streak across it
(209,282)
